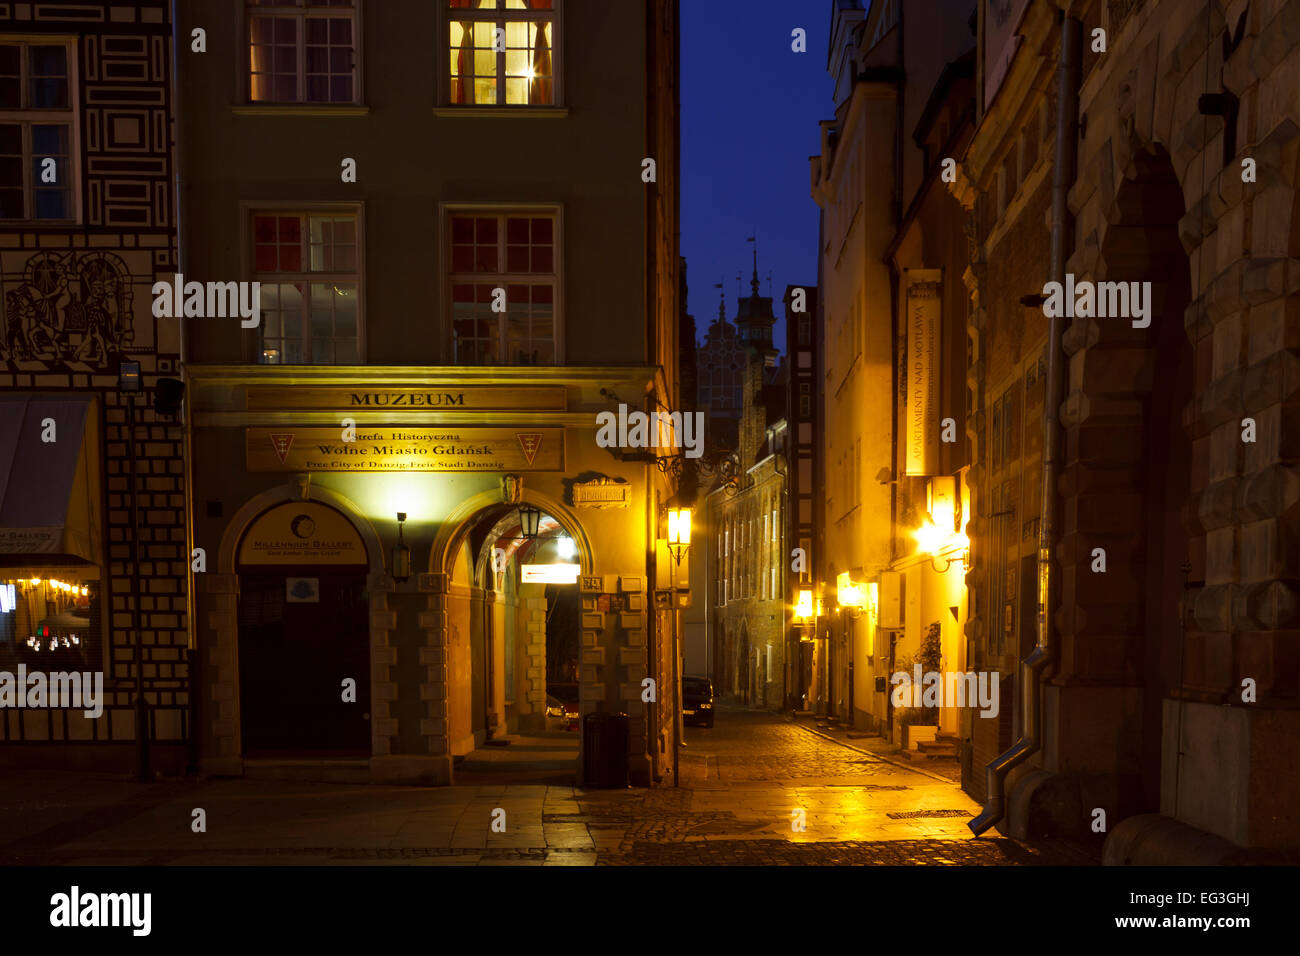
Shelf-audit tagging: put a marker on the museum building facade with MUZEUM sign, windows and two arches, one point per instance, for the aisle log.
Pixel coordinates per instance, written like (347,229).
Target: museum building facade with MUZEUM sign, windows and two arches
(463,271)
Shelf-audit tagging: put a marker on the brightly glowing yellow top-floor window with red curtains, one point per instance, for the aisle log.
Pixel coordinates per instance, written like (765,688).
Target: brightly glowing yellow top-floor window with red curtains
(502,53)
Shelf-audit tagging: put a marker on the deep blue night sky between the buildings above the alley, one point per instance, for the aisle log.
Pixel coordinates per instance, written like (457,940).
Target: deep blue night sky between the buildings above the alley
(749,123)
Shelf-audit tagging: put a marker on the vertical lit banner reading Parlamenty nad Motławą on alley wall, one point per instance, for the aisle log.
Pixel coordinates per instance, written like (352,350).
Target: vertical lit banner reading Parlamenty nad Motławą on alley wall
(924,302)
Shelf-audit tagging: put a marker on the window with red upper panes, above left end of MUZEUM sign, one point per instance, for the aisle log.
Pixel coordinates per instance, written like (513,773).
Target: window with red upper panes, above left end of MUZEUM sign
(311,289)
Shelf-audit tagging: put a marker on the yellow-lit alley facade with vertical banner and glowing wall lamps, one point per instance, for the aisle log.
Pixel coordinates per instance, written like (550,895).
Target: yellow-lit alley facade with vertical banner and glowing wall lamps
(891,259)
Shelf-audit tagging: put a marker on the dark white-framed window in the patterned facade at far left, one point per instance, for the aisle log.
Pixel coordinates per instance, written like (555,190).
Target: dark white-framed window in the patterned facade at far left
(37,157)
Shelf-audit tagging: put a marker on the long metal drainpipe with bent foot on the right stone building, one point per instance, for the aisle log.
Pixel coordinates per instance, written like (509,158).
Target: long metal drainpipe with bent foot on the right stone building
(1037,667)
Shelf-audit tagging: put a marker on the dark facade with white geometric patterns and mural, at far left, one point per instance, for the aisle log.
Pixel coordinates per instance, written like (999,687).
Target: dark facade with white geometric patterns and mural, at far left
(94,557)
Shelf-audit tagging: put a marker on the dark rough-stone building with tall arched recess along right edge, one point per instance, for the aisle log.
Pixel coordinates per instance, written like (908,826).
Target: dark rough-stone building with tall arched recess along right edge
(1160,142)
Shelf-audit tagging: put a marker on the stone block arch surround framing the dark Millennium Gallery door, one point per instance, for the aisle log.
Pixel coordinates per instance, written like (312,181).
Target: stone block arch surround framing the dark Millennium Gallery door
(220,716)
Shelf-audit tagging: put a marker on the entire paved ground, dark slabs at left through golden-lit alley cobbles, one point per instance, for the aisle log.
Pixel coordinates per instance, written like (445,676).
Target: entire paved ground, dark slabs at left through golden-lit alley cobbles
(762,791)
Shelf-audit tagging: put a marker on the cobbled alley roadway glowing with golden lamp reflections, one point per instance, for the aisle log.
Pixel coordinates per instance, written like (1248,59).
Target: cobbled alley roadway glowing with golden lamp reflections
(753,772)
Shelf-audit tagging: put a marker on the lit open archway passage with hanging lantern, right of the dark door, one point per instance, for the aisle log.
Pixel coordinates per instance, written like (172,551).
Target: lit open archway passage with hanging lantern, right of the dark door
(514,651)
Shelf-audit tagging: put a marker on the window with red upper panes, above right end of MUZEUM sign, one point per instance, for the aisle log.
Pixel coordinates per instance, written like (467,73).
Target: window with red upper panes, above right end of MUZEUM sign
(509,262)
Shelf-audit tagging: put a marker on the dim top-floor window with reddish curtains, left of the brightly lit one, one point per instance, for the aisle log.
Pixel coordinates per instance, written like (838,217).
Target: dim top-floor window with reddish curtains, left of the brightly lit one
(302,51)
